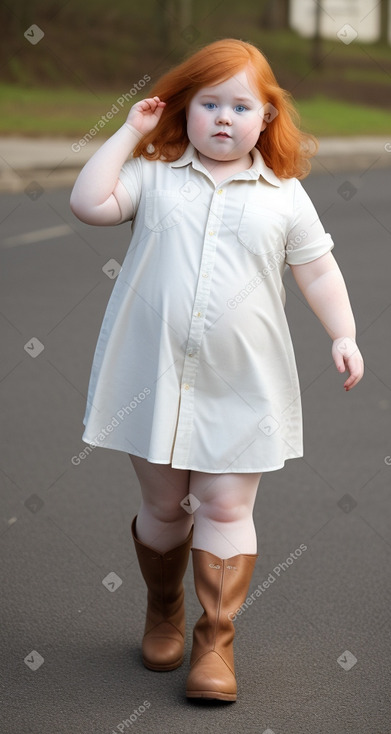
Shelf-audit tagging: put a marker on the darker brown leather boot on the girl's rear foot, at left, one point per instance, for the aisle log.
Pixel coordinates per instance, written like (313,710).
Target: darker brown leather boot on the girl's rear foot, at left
(164,633)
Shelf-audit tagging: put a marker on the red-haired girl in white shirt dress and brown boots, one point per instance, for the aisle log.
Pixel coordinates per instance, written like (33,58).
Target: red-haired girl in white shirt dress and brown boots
(194,374)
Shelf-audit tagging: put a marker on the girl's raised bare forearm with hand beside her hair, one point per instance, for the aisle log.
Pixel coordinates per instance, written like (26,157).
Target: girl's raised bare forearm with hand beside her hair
(98,196)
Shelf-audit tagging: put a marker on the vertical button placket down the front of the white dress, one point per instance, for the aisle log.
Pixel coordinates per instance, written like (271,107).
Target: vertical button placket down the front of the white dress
(201,301)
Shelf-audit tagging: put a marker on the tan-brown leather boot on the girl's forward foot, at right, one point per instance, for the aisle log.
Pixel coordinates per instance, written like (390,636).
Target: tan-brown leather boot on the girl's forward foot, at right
(221,587)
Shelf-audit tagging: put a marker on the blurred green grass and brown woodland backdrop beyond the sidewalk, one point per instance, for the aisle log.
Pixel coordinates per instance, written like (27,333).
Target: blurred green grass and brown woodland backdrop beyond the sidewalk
(94,51)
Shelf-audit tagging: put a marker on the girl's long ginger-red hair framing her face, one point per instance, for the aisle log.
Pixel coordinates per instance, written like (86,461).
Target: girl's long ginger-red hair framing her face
(284,148)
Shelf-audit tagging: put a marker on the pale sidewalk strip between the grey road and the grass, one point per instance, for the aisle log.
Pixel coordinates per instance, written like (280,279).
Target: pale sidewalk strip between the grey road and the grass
(55,163)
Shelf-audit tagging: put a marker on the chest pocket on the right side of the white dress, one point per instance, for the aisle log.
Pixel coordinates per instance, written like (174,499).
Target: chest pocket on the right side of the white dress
(261,230)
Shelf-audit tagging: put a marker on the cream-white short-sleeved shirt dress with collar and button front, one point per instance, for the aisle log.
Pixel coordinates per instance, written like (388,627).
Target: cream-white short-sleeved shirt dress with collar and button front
(194,364)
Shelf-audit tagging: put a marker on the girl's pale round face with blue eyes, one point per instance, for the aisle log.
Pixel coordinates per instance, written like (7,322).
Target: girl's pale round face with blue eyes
(224,121)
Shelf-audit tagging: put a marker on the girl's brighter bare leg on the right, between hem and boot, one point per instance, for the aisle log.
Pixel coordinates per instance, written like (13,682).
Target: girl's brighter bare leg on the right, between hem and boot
(223,523)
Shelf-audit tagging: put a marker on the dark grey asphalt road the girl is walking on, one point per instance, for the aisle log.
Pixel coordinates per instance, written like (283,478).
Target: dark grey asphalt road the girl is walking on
(313,651)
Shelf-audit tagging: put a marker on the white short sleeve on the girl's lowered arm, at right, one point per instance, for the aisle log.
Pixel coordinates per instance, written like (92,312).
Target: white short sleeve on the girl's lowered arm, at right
(307,239)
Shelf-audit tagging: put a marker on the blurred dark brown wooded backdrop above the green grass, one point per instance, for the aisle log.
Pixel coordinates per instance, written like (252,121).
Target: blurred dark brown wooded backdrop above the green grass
(98,45)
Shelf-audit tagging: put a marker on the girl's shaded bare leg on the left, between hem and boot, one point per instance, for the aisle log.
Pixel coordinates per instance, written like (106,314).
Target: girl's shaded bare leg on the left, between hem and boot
(162,523)
